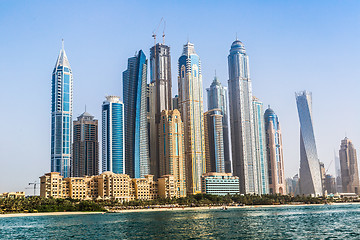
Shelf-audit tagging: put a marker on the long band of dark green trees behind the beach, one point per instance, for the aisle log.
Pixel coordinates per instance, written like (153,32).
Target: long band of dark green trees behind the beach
(39,204)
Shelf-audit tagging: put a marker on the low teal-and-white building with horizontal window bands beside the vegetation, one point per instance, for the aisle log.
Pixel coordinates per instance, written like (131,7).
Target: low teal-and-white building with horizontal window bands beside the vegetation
(220,183)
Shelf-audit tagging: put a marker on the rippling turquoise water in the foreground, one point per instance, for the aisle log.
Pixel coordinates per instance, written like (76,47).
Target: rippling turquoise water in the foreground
(301,222)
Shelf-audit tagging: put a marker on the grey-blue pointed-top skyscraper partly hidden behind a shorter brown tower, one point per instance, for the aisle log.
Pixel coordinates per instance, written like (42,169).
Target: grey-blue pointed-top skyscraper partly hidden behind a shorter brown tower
(217,98)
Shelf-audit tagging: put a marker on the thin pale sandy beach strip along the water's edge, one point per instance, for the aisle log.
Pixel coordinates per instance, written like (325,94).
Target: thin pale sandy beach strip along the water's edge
(164,209)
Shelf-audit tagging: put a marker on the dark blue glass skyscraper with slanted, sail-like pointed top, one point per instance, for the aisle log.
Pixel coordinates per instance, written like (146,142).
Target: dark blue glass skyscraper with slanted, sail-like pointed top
(135,93)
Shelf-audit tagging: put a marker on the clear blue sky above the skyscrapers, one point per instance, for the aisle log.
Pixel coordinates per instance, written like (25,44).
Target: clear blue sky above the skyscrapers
(292,46)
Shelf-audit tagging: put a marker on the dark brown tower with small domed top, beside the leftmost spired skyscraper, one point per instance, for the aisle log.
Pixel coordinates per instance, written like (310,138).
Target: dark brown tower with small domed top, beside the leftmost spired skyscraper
(85,146)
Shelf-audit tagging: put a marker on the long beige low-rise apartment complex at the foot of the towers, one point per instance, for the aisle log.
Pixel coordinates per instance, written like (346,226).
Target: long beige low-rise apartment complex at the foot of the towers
(107,185)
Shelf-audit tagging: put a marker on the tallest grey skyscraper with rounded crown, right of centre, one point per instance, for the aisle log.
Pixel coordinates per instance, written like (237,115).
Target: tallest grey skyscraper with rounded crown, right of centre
(241,119)
